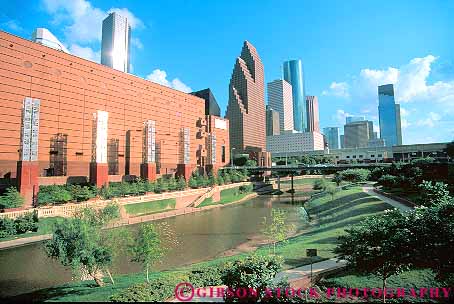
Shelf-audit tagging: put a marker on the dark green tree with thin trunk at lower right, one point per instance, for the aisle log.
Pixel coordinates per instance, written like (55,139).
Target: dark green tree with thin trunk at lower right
(379,244)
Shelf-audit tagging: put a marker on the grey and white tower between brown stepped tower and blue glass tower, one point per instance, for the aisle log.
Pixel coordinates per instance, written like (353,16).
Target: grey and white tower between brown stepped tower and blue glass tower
(280,99)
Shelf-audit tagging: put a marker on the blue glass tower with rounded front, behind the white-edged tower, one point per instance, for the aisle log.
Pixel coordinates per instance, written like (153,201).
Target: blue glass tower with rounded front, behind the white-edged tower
(293,74)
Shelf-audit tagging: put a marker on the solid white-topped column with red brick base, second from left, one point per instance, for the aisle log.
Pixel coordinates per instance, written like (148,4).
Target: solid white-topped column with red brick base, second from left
(99,170)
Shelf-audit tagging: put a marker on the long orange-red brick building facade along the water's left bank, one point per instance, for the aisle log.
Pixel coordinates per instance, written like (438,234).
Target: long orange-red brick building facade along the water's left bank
(96,121)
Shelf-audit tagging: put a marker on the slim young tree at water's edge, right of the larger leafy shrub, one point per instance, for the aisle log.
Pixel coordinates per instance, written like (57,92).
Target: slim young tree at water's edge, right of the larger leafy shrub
(147,248)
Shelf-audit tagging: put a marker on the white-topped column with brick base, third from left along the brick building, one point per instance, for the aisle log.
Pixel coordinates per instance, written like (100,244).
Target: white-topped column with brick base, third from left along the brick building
(148,166)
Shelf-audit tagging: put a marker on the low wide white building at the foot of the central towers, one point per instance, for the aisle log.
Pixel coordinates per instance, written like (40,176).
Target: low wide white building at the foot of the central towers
(293,141)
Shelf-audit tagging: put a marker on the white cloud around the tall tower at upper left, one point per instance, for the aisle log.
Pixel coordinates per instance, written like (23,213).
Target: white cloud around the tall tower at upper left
(82,24)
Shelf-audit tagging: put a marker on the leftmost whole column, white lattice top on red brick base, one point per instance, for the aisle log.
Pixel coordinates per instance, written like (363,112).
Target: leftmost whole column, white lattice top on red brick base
(27,166)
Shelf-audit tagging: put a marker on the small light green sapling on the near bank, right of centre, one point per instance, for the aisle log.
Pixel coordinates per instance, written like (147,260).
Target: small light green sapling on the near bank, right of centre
(276,228)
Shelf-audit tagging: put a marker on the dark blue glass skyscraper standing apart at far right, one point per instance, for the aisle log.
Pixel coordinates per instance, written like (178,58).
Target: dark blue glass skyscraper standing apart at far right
(389,116)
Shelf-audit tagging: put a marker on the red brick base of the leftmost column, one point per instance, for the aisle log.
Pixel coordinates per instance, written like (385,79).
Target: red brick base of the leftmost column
(27,181)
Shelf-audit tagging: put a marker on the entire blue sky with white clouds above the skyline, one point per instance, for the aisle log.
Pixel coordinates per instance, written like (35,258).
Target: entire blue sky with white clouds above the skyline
(347,48)
